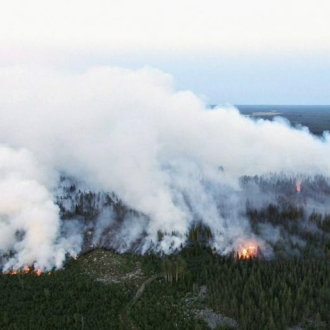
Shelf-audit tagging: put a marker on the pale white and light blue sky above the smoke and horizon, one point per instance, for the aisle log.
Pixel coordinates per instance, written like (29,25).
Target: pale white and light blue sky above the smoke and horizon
(226,52)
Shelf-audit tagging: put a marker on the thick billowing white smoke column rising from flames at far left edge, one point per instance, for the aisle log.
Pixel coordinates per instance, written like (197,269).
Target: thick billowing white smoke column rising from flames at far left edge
(29,222)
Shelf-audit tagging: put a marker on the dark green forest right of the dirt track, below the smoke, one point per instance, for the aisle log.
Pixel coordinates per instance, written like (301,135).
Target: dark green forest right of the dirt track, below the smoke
(259,294)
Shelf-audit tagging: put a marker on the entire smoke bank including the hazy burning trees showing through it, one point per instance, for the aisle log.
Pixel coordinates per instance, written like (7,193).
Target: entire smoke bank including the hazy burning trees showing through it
(122,159)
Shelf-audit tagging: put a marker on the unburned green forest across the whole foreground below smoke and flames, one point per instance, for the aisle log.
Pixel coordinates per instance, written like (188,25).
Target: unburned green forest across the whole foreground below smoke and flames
(256,293)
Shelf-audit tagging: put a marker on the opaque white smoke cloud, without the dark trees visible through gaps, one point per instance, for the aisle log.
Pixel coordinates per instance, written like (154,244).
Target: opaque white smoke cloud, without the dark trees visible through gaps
(161,151)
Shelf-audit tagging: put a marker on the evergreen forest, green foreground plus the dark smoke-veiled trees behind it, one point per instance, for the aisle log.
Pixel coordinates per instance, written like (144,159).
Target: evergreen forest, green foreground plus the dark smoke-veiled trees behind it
(195,287)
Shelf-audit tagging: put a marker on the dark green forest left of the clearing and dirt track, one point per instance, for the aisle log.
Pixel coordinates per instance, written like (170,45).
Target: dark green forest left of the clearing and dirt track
(65,299)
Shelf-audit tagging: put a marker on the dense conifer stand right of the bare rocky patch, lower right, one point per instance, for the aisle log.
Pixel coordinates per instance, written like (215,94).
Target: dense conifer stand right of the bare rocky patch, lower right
(262,294)
